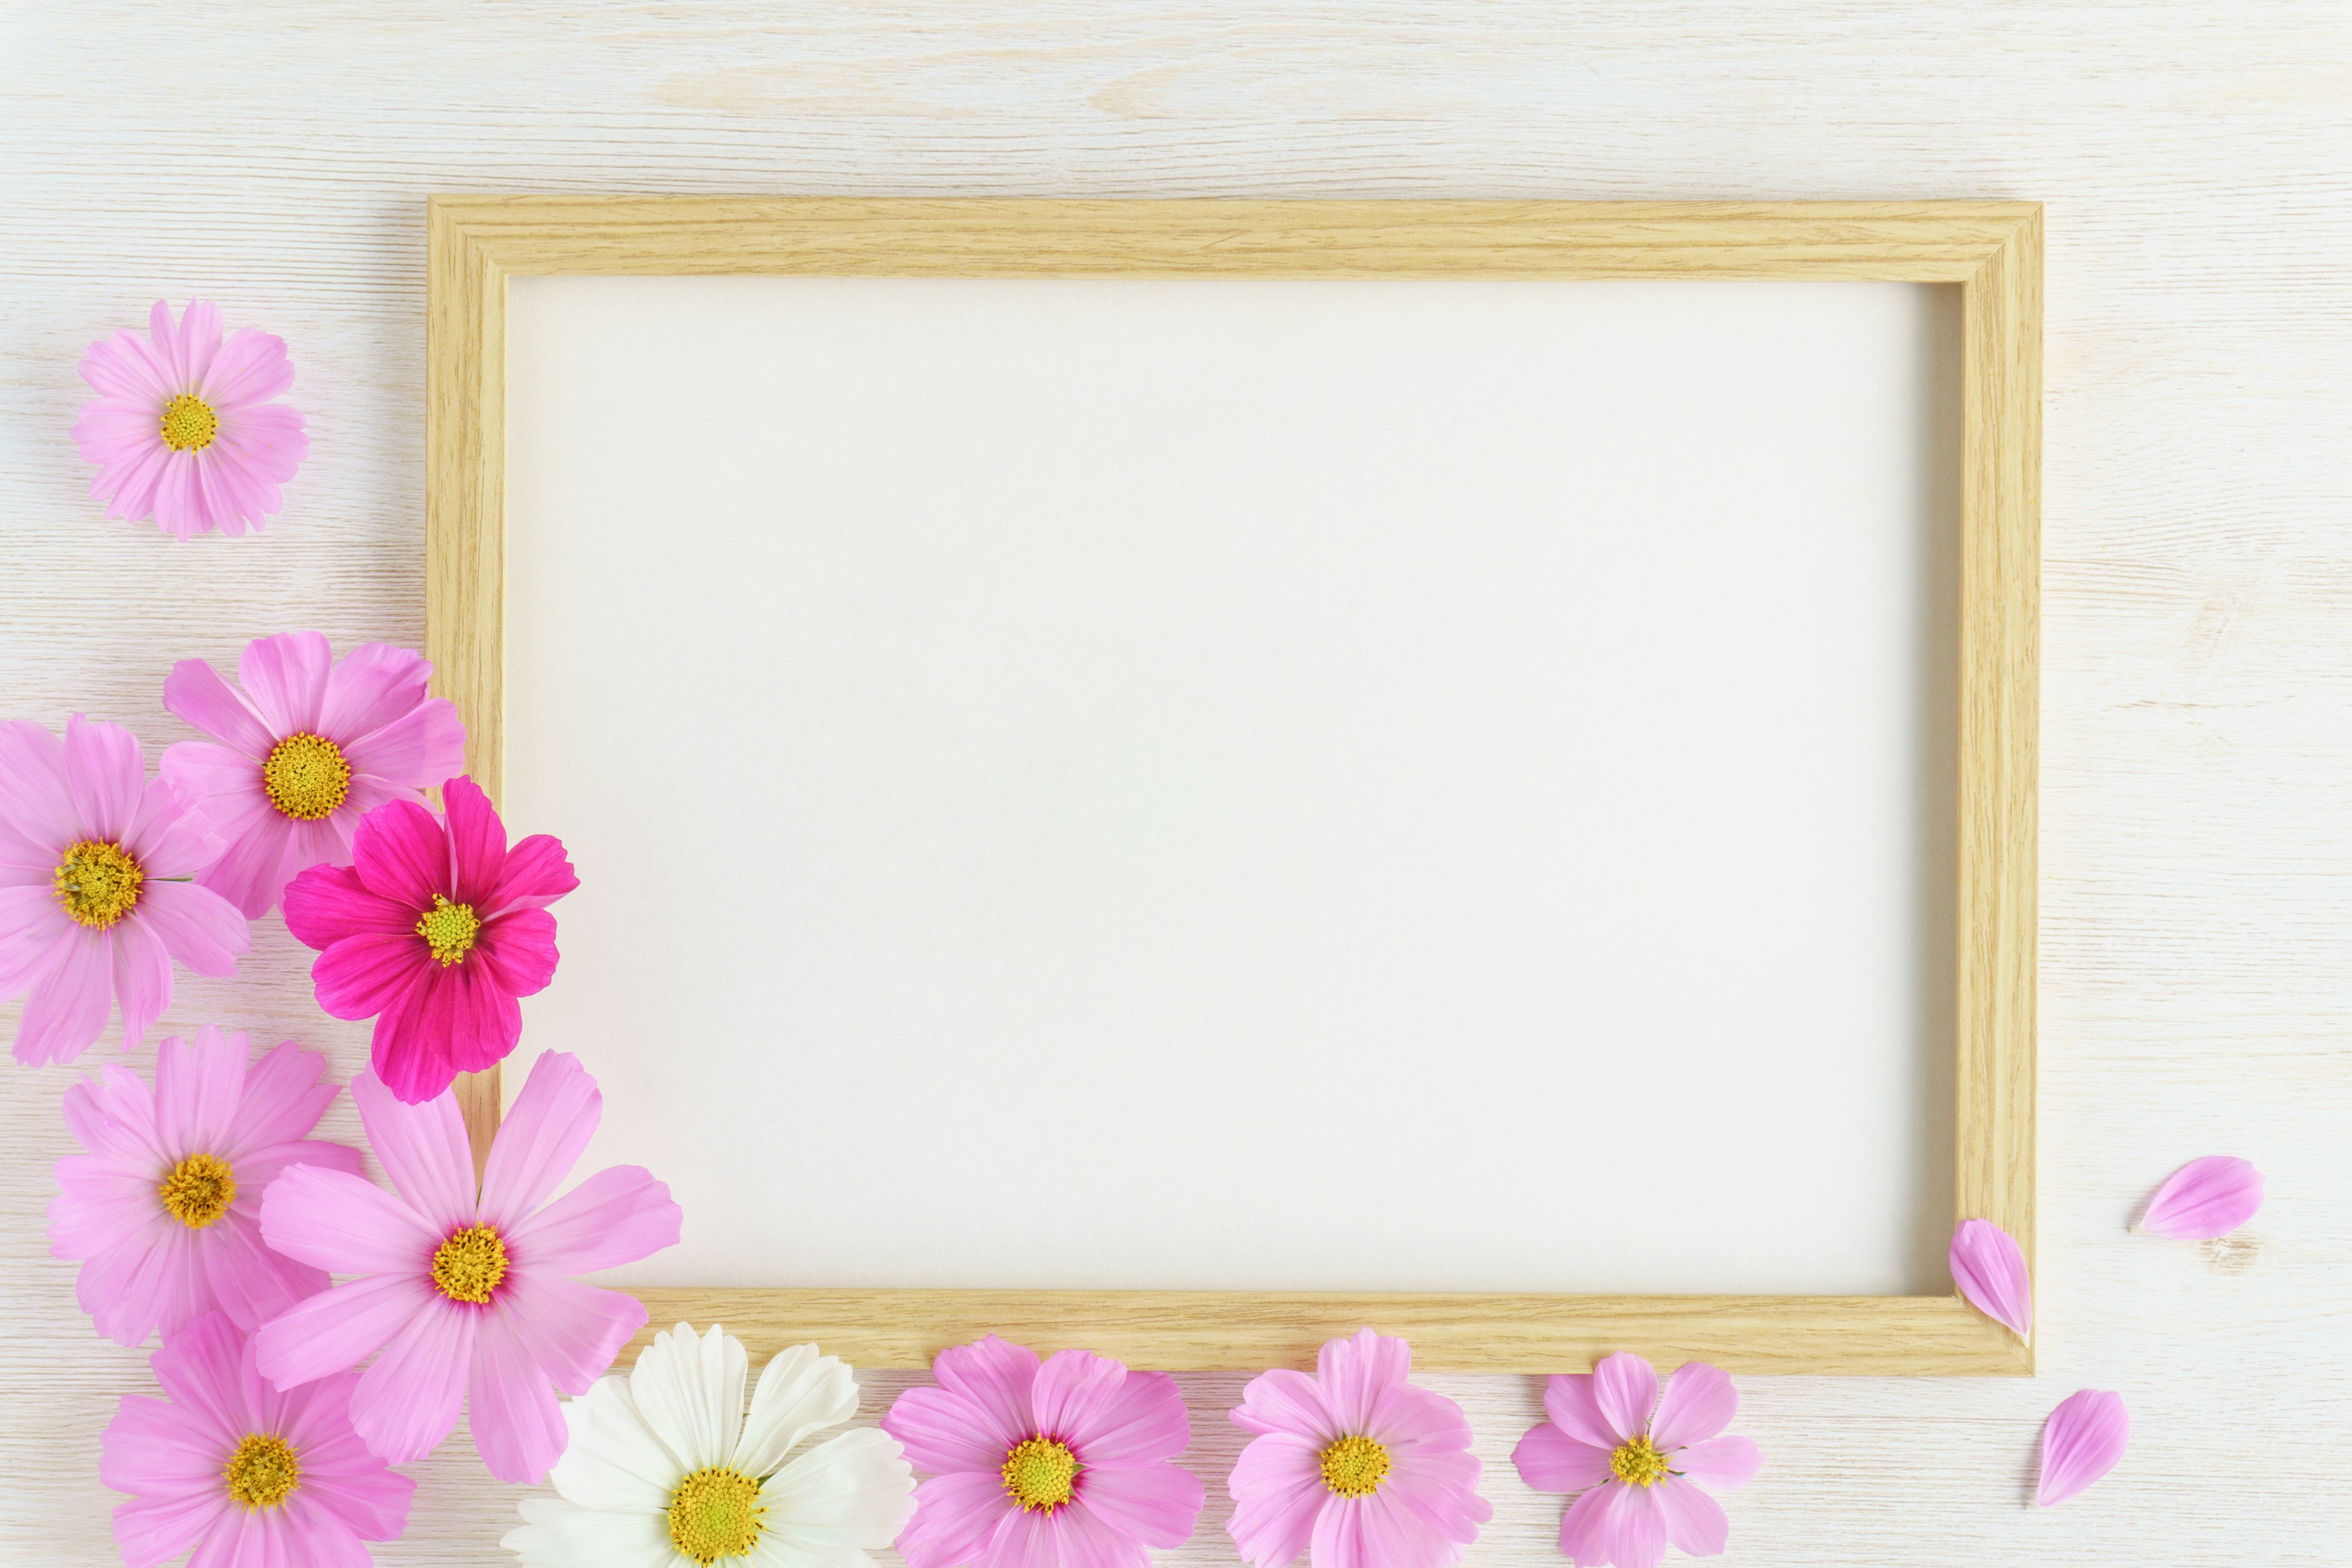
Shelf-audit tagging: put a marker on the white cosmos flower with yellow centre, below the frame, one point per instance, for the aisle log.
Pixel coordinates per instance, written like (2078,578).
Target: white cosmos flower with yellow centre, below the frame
(664,1470)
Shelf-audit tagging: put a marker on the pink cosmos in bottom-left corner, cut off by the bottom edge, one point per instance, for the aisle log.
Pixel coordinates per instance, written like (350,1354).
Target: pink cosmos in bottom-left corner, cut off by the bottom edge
(246,1475)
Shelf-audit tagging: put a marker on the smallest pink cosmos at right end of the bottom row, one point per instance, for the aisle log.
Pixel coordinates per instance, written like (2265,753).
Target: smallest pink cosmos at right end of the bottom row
(1638,1459)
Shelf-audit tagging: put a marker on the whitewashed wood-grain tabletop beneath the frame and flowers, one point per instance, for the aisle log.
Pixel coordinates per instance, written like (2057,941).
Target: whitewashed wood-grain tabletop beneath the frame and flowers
(2198,683)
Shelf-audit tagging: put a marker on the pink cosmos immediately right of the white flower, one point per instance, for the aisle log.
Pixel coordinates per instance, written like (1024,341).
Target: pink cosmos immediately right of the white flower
(1069,1463)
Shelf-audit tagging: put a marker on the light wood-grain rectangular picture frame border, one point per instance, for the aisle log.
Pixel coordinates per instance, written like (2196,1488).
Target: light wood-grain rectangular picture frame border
(1991,250)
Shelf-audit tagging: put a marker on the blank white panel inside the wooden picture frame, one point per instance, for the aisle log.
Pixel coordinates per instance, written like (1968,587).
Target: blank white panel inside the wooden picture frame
(1250,784)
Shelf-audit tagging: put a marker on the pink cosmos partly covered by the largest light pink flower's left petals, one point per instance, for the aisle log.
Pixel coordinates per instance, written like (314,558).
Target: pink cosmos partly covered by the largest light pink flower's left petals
(163,1209)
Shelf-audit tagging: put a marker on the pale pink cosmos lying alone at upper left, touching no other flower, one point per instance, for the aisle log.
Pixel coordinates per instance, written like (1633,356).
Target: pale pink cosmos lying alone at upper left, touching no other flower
(185,429)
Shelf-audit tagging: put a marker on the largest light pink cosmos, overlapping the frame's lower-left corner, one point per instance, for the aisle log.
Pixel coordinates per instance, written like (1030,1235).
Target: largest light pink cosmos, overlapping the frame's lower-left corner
(467,1289)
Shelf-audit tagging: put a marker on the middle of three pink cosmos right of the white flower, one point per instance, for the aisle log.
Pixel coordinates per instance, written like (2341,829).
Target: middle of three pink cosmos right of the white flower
(1354,1468)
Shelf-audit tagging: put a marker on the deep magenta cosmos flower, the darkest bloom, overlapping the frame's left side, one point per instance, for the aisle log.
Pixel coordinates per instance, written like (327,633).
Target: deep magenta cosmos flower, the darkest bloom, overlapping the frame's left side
(434,932)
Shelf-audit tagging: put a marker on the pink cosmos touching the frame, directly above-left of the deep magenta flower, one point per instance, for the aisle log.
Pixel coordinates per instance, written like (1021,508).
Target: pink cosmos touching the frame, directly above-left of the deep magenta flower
(309,749)
